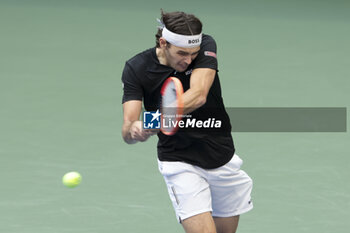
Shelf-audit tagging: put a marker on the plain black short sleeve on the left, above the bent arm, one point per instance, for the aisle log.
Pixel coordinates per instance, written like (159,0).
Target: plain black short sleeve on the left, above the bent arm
(132,89)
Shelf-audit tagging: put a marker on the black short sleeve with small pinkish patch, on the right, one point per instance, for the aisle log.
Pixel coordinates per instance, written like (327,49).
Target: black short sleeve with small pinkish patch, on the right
(207,54)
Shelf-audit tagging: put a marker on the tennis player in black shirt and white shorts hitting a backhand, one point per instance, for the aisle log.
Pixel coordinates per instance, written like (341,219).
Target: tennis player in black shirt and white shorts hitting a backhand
(207,188)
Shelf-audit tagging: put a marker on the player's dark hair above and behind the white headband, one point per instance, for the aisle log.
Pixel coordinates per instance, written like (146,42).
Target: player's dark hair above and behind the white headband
(179,22)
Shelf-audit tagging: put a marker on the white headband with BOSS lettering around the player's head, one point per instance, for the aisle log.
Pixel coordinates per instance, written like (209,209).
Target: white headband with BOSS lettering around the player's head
(183,41)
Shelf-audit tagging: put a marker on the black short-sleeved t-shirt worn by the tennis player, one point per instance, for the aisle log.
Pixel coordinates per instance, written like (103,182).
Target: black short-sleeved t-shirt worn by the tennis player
(143,77)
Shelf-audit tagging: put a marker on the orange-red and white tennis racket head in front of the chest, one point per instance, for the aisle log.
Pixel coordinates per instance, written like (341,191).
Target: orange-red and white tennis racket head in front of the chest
(171,105)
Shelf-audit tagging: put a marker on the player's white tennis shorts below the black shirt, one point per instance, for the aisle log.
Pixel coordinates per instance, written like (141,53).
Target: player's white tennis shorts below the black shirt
(224,191)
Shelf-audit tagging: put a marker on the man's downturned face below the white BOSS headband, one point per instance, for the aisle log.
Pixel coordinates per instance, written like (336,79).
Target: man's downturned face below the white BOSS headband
(180,58)
